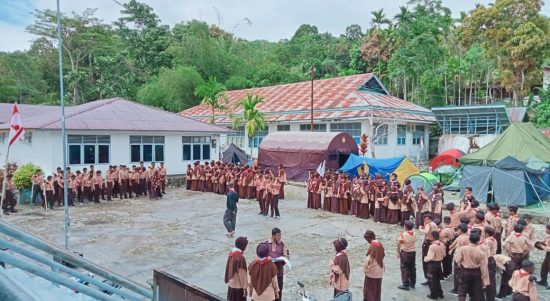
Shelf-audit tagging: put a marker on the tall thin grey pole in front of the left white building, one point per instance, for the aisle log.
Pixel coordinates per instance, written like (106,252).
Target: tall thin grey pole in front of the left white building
(63,133)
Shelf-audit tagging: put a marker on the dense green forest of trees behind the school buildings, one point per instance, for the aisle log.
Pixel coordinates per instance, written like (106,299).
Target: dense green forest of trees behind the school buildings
(423,54)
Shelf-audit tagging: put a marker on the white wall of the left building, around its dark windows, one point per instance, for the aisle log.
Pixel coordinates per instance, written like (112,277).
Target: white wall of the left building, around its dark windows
(45,149)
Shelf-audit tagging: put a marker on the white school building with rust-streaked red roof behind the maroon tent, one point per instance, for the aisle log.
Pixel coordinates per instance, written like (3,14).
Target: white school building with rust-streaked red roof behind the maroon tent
(356,104)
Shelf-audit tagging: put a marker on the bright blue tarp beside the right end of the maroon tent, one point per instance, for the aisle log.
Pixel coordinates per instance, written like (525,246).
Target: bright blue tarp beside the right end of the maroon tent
(376,166)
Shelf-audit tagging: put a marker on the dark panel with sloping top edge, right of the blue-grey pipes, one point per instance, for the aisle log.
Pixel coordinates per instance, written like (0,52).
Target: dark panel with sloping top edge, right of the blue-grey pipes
(170,288)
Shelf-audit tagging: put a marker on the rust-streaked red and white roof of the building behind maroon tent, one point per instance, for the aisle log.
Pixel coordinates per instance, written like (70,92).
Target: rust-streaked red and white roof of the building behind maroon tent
(334,98)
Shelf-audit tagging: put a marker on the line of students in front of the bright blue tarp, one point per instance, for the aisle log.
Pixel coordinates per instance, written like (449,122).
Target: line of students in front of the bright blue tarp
(366,196)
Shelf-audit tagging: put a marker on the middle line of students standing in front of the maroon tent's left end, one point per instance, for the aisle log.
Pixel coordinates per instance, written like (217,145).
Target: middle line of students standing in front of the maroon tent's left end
(249,183)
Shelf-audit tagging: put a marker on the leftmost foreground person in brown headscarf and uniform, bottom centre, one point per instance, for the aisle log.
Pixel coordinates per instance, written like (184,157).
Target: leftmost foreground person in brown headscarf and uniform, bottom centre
(236,272)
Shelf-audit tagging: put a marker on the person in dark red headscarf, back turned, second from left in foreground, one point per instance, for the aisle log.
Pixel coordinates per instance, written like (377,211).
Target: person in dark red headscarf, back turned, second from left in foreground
(262,276)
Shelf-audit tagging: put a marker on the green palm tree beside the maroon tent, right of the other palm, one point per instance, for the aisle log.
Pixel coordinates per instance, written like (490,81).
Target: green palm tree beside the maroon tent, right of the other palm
(252,119)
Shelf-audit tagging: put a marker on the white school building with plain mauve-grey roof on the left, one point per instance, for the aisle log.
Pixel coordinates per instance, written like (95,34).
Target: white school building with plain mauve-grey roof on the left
(109,132)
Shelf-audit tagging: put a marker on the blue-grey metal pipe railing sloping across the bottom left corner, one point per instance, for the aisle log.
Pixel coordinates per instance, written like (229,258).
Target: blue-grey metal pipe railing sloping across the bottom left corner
(49,269)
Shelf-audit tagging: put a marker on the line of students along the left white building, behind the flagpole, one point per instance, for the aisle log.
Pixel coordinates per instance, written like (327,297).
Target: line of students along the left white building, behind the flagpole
(90,184)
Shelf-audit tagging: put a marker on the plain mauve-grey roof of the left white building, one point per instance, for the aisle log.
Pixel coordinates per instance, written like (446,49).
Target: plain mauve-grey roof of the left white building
(108,114)
